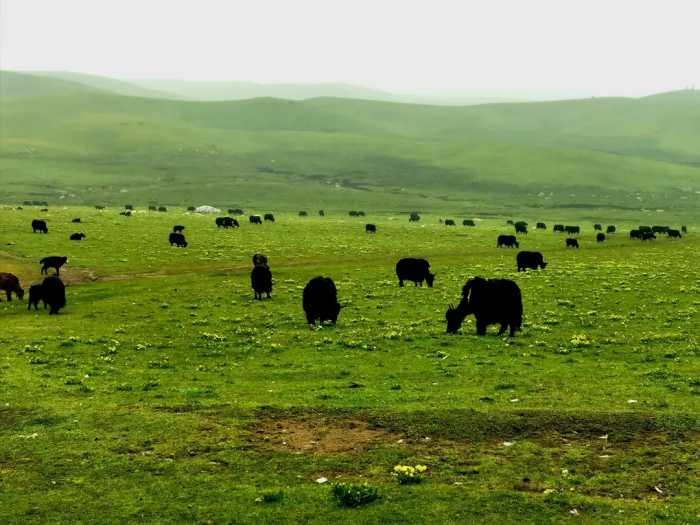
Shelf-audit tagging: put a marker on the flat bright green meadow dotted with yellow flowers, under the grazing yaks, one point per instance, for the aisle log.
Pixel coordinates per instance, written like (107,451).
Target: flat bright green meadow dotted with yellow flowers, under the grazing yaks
(164,392)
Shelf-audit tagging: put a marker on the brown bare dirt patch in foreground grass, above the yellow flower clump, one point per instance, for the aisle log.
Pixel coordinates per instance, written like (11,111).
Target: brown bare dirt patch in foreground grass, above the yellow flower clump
(319,435)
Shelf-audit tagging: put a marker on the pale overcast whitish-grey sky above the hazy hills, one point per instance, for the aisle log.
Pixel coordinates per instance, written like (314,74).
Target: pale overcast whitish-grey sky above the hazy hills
(564,47)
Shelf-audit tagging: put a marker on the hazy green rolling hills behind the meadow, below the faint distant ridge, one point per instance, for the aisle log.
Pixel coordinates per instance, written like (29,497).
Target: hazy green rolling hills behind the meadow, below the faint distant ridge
(67,141)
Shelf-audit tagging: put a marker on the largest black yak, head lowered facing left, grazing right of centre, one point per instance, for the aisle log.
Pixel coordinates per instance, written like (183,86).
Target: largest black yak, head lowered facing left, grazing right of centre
(493,301)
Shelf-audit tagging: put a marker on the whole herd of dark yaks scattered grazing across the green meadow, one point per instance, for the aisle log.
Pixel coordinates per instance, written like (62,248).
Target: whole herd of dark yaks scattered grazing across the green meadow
(491,301)
